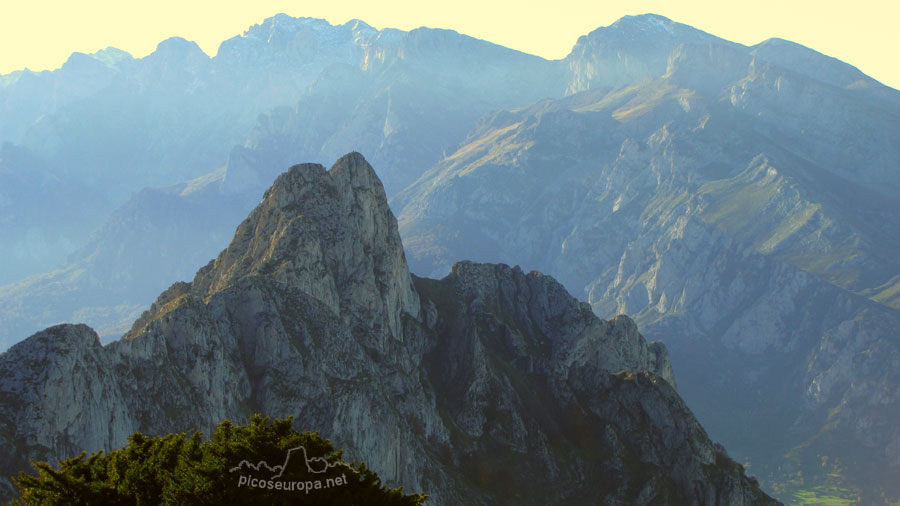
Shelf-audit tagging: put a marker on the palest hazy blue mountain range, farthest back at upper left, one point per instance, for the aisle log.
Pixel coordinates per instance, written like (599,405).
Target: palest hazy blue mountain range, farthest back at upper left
(107,125)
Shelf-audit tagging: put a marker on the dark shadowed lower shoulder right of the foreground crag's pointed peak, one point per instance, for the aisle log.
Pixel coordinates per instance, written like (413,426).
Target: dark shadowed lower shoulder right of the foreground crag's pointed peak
(512,347)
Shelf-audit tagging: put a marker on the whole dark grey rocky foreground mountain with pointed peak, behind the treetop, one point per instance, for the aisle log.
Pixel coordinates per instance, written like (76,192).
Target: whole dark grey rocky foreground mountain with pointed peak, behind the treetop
(489,386)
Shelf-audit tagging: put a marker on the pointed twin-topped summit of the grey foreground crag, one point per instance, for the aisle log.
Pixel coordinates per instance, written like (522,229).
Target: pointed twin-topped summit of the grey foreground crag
(329,234)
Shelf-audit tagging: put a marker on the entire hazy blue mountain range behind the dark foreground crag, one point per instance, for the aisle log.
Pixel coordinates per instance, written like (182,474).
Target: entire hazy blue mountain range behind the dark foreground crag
(741,203)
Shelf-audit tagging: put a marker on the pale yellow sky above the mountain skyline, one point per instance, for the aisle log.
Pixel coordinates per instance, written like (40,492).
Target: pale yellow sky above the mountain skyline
(41,34)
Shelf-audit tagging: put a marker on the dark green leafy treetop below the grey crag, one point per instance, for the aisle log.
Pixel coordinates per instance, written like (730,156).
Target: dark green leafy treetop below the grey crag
(238,465)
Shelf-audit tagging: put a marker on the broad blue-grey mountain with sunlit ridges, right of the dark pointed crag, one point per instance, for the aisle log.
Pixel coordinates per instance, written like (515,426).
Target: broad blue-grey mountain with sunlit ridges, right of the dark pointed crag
(744,212)
